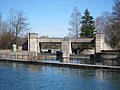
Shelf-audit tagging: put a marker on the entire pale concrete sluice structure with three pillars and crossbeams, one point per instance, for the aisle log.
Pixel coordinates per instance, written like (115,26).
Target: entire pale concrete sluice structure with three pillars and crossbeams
(34,43)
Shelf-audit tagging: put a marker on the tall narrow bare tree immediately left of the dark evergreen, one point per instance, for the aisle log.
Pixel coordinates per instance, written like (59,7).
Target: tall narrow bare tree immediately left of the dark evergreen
(75,23)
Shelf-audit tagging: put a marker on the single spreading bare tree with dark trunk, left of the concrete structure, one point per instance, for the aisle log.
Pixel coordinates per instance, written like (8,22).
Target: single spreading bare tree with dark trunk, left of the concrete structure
(18,22)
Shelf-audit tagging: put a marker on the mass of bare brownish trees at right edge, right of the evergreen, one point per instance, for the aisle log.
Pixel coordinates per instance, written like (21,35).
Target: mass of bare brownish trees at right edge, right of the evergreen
(110,24)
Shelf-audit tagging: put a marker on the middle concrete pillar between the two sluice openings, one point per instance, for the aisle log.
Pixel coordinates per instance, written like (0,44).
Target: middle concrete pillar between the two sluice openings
(66,47)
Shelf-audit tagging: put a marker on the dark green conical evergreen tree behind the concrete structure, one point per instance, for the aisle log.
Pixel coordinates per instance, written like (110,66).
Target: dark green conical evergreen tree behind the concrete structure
(87,29)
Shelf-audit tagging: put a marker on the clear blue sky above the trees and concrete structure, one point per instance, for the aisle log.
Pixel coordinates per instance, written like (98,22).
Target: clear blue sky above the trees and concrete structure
(51,17)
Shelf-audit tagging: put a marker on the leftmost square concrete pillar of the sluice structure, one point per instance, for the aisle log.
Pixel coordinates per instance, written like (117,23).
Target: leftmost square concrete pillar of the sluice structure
(33,44)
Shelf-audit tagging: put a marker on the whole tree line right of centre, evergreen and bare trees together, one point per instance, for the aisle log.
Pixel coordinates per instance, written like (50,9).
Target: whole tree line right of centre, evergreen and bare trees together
(86,26)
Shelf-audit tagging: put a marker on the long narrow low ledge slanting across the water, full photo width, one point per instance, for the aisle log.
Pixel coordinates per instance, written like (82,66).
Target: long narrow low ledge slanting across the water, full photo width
(62,64)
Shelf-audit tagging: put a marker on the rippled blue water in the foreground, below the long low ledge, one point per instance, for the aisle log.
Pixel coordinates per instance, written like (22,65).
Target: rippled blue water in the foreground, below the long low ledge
(19,76)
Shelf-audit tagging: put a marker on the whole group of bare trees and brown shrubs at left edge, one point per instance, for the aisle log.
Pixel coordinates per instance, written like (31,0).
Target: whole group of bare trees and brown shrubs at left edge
(13,28)
